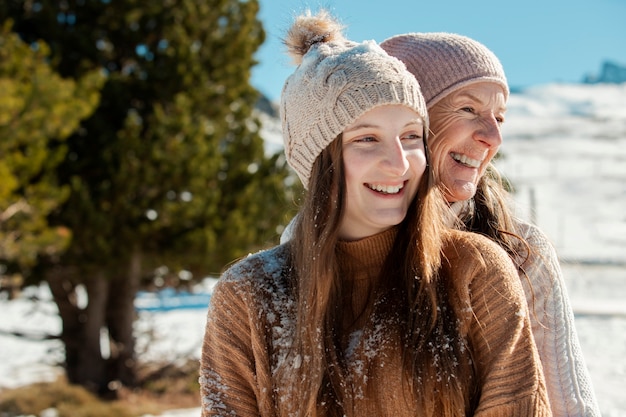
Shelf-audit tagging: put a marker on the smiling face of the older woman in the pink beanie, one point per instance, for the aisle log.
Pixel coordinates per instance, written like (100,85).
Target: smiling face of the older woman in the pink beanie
(465,137)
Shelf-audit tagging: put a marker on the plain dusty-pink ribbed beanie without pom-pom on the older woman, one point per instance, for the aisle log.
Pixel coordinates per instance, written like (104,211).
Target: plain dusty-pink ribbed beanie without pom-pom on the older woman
(446,62)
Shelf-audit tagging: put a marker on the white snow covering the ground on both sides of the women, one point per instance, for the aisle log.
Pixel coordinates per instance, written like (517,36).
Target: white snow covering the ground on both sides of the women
(565,152)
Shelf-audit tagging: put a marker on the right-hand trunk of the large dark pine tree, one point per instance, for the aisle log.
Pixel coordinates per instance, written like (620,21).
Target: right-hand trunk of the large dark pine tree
(120,321)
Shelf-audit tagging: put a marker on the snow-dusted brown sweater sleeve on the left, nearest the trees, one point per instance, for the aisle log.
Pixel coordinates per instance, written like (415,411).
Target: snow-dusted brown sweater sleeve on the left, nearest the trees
(248,323)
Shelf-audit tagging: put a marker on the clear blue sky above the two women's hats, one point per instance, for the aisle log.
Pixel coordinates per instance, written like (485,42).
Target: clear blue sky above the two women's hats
(538,41)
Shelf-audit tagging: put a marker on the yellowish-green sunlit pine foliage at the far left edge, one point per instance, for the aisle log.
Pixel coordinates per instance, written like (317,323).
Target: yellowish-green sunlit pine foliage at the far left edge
(38,111)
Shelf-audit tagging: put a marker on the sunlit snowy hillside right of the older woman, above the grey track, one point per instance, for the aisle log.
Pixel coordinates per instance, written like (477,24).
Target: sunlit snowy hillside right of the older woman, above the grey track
(565,152)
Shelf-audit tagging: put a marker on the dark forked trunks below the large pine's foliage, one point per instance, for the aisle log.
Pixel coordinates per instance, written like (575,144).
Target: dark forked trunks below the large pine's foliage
(109,306)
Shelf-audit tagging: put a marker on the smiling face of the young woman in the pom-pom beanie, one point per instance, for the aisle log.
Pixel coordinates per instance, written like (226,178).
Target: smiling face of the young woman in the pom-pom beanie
(384,159)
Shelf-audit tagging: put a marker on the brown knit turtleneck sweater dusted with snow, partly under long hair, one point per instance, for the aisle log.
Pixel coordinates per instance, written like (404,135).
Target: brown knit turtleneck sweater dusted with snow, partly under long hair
(251,320)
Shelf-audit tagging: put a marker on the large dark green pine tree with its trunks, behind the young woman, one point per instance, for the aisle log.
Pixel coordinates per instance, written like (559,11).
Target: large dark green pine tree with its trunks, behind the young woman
(169,173)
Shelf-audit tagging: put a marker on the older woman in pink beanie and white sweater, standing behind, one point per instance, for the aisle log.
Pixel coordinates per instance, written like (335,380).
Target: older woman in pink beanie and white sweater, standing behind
(466,90)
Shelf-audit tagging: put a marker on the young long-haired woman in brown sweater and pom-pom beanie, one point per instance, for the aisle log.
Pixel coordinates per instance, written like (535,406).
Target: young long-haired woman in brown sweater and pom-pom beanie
(374,307)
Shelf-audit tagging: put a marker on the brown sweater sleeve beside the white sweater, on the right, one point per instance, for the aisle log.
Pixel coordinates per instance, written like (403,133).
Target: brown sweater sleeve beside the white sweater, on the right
(499,332)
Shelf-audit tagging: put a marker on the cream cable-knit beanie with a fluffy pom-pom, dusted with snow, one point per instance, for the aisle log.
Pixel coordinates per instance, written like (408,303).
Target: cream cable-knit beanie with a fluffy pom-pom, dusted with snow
(335,83)
